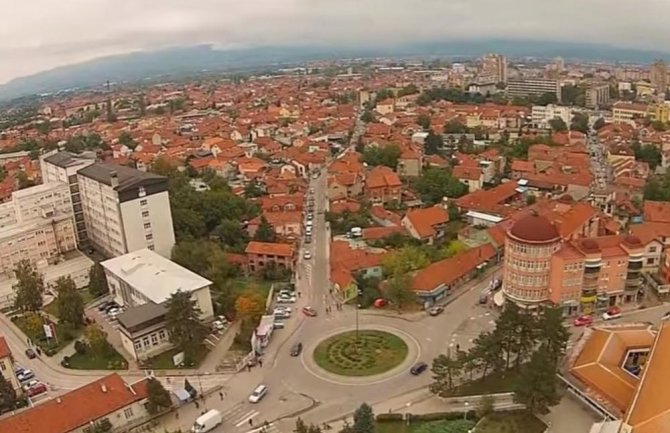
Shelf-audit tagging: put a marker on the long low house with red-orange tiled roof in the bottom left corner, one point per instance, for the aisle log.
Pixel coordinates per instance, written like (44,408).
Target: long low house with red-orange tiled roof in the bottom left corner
(109,399)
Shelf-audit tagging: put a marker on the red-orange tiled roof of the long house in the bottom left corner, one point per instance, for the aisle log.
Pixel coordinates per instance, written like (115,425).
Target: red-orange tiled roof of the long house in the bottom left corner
(77,408)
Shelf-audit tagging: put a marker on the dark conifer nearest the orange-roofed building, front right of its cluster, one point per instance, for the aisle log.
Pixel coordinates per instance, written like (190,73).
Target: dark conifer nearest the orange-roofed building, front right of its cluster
(537,387)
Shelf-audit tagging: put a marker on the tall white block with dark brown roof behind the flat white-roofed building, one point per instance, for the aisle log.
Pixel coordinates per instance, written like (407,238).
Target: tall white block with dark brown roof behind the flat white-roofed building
(125,209)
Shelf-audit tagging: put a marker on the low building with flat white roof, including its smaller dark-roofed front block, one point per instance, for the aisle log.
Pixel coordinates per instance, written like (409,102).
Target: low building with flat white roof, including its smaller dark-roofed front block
(143,281)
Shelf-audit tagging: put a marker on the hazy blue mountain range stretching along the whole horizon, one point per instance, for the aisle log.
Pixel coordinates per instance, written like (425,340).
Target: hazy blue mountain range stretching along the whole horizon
(176,62)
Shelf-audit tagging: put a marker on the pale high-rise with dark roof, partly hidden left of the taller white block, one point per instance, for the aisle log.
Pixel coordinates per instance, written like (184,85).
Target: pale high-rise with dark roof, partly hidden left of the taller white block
(63,167)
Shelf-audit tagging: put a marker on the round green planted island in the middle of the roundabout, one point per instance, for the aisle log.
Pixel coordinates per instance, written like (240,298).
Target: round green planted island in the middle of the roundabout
(371,352)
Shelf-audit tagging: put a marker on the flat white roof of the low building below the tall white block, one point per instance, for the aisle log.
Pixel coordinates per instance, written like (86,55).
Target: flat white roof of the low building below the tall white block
(153,275)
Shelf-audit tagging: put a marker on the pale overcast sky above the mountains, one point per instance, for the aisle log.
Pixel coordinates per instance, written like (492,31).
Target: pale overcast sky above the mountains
(41,34)
